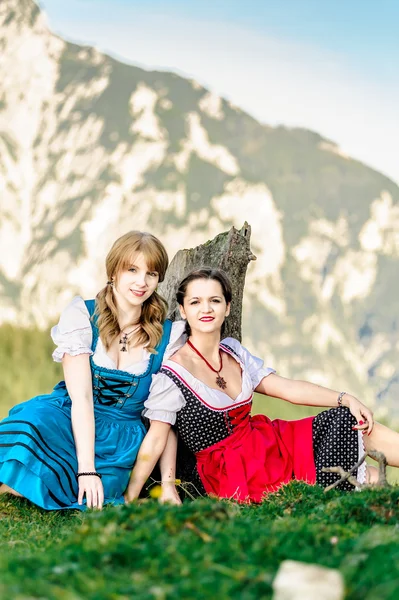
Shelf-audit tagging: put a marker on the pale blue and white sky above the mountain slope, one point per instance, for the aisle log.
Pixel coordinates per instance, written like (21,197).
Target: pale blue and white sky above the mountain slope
(328,65)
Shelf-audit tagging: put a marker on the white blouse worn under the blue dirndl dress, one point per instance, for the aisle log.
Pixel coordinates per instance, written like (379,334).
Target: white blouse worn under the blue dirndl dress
(73,335)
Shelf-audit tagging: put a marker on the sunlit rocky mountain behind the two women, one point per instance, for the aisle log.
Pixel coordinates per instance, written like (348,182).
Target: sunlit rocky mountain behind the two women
(91,147)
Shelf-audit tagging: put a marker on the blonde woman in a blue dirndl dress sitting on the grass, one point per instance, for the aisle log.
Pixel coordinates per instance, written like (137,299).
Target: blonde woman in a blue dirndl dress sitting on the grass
(75,447)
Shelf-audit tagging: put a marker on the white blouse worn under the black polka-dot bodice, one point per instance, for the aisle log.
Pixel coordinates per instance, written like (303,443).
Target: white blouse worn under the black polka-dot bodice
(166,399)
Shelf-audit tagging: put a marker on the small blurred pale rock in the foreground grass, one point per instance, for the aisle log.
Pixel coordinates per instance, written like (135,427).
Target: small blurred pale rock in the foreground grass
(299,581)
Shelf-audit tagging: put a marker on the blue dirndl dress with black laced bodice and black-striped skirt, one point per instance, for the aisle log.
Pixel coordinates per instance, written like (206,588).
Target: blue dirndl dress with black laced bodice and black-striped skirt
(37,448)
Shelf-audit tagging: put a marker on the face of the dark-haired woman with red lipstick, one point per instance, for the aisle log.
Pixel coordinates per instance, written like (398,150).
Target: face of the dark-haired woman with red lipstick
(204,306)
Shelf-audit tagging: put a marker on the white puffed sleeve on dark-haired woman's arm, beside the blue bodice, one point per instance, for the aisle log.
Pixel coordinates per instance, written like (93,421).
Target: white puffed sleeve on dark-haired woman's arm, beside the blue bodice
(164,401)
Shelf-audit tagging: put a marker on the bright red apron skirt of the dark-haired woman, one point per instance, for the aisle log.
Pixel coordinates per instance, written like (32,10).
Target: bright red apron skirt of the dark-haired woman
(258,458)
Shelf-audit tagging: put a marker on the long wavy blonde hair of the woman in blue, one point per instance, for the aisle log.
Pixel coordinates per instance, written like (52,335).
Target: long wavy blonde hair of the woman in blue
(154,309)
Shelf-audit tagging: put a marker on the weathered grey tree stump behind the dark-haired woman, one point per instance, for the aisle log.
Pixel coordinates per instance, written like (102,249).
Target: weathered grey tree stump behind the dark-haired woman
(229,251)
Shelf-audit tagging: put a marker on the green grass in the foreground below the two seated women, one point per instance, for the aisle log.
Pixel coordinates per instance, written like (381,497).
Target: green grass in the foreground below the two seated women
(204,549)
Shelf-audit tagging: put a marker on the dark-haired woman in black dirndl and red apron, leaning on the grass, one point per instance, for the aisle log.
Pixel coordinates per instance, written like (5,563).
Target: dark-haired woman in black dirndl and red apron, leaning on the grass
(206,389)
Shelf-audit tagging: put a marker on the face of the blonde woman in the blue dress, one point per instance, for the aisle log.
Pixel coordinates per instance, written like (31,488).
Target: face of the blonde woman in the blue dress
(133,286)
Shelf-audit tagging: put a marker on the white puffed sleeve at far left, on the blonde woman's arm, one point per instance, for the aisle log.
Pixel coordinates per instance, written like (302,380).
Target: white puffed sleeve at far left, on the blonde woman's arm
(73,334)
